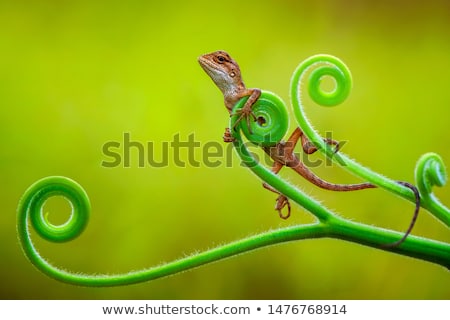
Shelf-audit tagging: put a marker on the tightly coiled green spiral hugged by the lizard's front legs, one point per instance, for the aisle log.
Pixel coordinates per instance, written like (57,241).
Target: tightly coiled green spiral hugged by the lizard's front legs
(272,120)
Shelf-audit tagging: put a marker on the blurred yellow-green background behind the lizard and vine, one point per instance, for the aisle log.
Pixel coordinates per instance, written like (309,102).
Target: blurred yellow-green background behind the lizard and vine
(76,74)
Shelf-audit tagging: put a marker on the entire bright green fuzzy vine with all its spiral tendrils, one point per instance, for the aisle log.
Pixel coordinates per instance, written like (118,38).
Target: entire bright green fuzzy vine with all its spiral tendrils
(430,171)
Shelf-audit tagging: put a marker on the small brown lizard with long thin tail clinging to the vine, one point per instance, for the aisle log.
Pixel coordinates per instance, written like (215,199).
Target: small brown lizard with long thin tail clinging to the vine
(226,74)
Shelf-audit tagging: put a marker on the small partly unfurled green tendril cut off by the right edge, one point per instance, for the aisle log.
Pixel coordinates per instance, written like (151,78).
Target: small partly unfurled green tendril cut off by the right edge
(430,171)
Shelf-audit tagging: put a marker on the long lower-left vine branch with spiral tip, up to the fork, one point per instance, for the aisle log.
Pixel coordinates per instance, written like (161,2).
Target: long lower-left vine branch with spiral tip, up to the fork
(31,205)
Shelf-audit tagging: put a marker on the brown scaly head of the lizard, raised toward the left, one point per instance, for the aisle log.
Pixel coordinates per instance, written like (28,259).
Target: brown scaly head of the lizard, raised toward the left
(222,69)
